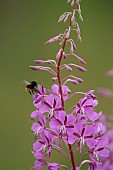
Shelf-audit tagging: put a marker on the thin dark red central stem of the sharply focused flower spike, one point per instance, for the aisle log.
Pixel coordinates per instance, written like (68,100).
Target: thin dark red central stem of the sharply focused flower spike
(60,84)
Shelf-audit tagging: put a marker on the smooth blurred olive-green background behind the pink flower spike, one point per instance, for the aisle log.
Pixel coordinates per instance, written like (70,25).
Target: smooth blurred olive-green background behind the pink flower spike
(25,25)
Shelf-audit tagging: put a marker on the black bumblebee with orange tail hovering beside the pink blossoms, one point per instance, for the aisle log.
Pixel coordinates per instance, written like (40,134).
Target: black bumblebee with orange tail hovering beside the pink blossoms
(31,87)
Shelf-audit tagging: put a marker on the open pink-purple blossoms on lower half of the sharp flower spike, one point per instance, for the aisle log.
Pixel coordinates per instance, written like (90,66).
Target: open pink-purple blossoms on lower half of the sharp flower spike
(53,126)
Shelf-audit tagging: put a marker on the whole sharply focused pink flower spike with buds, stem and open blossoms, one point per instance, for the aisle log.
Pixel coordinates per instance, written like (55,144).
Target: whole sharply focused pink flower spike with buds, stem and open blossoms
(53,126)
